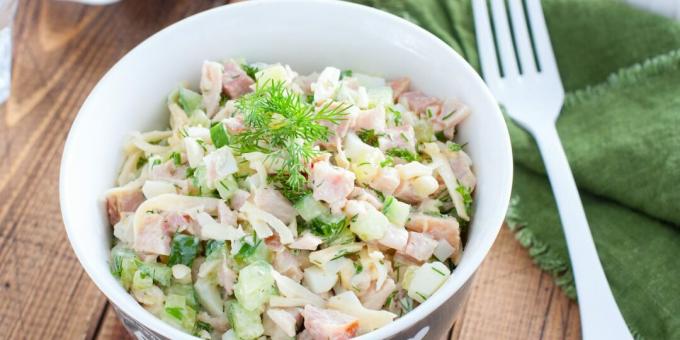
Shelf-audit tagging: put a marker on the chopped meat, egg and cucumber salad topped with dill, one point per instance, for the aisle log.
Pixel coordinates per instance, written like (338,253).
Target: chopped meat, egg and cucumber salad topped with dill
(280,205)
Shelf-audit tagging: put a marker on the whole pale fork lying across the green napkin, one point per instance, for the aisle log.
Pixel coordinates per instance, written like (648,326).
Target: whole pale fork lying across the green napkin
(528,84)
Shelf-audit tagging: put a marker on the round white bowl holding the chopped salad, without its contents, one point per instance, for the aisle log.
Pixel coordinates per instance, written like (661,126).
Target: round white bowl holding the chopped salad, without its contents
(308,35)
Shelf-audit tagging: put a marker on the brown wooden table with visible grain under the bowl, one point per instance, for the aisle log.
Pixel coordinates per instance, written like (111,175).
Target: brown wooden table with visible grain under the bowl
(60,51)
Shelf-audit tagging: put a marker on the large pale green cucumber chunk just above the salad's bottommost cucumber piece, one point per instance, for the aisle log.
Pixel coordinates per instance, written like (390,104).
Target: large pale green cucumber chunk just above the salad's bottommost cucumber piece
(254,286)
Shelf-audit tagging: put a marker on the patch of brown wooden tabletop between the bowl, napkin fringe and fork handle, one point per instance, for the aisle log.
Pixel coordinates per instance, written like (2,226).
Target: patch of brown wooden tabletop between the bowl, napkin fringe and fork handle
(511,298)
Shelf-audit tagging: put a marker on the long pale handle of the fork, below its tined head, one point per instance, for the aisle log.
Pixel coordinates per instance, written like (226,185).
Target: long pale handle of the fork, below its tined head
(600,316)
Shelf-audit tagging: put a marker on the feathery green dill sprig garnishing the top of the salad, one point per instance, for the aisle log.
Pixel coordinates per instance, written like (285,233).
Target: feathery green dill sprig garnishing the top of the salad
(285,127)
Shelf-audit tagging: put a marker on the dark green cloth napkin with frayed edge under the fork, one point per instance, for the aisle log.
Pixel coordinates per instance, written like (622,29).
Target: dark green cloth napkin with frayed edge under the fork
(620,126)
